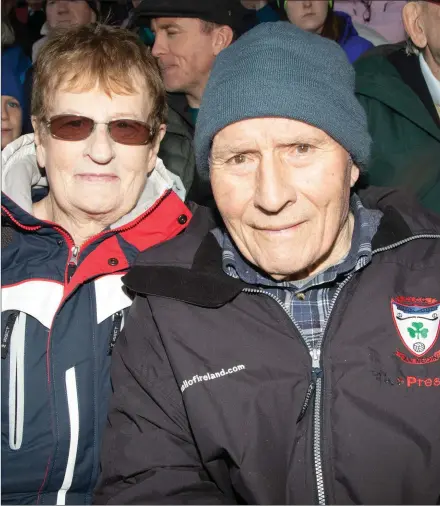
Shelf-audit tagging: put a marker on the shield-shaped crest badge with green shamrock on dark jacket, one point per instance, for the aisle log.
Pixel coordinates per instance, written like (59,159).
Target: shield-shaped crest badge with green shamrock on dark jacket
(417,321)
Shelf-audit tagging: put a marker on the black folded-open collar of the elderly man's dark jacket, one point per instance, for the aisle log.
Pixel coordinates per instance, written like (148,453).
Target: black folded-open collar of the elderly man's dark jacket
(189,268)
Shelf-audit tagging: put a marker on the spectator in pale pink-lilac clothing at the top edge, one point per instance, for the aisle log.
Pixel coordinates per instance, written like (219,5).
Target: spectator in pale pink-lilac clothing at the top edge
(383,16)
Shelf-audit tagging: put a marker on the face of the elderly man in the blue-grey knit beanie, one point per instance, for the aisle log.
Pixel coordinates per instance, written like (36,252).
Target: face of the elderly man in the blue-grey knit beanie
(283,189)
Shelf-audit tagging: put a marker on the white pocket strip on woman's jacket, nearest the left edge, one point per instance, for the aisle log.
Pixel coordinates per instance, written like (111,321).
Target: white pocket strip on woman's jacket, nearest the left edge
(16,382)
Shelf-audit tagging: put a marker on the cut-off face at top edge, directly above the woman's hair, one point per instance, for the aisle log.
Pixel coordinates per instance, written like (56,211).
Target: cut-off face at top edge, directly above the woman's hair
(67,13)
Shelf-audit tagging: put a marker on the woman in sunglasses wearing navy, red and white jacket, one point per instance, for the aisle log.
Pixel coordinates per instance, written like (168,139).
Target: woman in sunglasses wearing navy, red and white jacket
(71,227)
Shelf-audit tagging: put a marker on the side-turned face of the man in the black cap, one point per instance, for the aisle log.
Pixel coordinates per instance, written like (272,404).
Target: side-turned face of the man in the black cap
(184,51)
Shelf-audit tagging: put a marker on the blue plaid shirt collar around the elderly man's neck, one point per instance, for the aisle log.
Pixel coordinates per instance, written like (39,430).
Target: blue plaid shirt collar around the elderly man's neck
(366,222)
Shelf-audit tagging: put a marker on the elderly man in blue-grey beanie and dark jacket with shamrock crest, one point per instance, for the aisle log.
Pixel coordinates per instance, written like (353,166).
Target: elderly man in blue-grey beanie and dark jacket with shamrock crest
(288,354)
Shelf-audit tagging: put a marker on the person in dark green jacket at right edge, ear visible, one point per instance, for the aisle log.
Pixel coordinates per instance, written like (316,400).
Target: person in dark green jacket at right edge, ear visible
(400,90)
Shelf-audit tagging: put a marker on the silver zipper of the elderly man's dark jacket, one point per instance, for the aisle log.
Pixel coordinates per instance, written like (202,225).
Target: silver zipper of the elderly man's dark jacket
(314,390)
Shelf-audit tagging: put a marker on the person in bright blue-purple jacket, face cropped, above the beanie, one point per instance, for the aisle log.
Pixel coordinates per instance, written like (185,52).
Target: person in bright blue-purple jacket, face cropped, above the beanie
(318,16)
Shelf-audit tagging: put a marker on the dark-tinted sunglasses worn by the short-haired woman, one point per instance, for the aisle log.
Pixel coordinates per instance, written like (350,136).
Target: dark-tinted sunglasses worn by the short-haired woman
(69,127)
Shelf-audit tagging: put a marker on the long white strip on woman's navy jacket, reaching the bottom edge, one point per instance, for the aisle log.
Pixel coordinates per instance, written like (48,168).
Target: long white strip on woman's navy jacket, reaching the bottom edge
(72,403)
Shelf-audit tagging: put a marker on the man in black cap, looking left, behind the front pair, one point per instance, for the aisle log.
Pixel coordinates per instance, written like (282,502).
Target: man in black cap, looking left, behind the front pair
(189,34)
